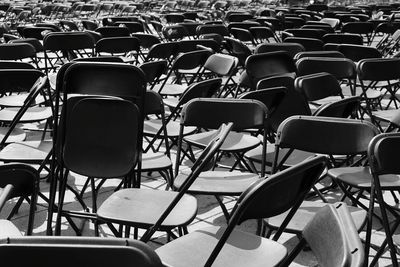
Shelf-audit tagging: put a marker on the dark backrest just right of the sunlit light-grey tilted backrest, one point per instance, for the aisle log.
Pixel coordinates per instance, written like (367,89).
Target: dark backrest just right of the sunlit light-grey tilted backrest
(260,66)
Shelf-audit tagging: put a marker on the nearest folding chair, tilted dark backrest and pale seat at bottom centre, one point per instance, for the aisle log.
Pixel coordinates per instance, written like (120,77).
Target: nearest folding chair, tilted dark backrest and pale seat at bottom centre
(219,246)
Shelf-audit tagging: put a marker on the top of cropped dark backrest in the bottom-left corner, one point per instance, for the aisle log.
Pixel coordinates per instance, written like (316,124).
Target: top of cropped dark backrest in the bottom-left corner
(90,251)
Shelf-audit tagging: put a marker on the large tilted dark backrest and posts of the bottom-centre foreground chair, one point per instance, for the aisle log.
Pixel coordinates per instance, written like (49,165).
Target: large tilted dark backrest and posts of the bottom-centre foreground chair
(280,192)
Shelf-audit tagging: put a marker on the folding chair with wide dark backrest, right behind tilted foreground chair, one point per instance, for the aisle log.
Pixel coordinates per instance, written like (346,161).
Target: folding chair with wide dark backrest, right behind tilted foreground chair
(340,139)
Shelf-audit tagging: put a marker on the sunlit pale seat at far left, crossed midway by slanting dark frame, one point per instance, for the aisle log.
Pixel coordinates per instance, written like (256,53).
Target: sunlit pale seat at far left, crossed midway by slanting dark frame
(31,115)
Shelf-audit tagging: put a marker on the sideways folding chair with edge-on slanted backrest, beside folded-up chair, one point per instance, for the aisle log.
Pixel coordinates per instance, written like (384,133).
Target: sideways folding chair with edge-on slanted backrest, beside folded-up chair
(160,210)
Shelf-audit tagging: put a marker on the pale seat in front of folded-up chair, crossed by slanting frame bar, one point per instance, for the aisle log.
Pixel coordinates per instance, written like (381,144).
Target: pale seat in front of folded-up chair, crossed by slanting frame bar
(142,208)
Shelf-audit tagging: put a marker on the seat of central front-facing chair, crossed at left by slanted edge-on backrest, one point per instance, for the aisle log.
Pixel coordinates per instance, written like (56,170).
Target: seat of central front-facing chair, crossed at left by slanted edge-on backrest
(218,182)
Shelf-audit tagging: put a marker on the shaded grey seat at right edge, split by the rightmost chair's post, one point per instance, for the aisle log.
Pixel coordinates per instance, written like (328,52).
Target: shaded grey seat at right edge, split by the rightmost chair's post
(361,177)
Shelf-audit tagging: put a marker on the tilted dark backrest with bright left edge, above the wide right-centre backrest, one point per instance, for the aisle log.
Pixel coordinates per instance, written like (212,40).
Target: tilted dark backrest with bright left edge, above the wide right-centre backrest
(318,86)
